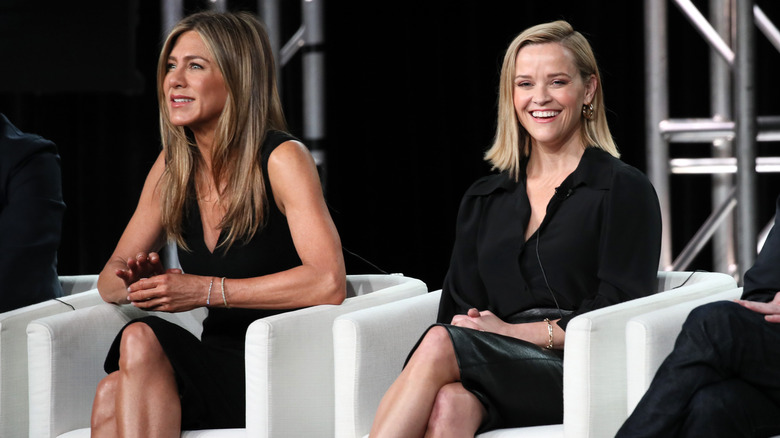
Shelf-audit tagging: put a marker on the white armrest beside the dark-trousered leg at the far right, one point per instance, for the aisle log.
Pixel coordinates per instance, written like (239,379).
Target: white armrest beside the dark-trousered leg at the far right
(650,337)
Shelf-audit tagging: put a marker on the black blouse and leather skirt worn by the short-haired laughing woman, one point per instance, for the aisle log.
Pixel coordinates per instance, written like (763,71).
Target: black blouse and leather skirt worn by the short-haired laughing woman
(599,244)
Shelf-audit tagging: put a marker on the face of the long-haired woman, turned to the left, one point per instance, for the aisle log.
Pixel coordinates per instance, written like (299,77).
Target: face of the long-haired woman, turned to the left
(195,90)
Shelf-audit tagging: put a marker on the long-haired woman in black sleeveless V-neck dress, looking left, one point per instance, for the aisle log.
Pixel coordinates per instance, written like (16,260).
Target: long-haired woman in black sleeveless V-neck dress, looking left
(242,200)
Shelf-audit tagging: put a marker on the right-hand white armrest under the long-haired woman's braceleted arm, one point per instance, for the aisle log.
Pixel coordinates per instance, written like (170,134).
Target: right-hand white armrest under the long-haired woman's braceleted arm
(289,359)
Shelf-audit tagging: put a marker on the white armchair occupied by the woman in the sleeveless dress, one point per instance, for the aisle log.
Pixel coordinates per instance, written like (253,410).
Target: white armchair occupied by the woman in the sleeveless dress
(289,361)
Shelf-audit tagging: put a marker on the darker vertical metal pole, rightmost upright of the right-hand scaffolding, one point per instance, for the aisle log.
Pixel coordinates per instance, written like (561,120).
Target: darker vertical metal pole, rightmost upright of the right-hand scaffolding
(745,110)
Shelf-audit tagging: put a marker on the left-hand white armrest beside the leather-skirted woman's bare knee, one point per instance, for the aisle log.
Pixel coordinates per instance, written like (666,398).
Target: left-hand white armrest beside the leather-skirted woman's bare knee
(363,374)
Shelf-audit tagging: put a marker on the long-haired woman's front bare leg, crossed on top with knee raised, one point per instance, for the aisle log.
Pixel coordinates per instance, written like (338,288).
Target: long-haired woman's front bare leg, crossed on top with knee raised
(147,398)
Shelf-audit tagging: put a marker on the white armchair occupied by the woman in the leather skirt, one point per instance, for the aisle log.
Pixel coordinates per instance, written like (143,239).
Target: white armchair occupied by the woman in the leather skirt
(371,345)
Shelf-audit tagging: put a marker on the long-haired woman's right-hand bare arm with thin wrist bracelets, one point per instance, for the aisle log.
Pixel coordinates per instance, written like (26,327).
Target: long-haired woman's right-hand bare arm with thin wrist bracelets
(320,279)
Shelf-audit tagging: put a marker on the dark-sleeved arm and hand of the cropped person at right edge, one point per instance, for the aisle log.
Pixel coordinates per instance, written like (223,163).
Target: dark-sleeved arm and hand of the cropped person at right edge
(762,280)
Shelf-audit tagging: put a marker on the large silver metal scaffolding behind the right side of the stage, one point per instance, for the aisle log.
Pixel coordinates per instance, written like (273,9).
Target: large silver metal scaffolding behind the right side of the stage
(733,141)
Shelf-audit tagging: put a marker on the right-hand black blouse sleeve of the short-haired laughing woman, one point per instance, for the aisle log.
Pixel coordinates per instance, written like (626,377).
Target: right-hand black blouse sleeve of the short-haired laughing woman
(630,245)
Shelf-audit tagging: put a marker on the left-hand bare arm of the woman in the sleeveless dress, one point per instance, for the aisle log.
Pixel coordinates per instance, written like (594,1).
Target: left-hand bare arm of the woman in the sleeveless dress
(135,257)
